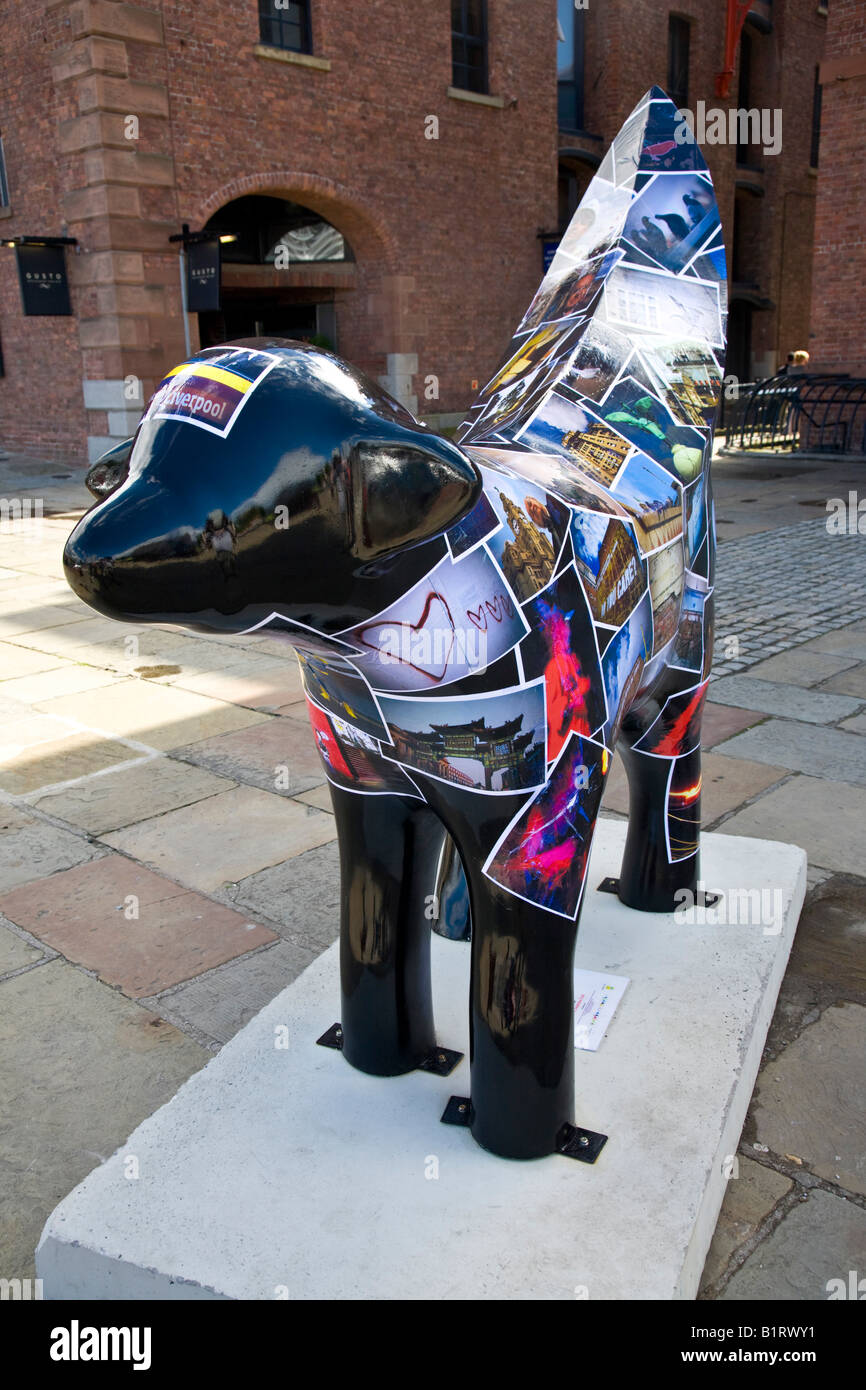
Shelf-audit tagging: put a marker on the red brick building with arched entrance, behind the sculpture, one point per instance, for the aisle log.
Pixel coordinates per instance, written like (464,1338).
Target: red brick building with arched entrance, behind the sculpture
(404,156)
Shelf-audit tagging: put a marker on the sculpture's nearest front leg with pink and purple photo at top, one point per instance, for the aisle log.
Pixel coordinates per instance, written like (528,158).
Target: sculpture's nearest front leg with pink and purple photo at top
(522,993)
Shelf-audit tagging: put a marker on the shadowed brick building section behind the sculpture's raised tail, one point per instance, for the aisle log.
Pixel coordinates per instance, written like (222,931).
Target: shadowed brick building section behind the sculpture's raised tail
(767,199)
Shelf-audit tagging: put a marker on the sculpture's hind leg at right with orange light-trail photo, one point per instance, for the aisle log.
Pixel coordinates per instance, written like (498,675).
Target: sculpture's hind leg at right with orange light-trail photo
(662,854)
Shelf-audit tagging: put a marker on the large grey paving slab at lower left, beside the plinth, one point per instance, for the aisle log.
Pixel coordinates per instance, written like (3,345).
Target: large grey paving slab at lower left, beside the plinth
(81,1067)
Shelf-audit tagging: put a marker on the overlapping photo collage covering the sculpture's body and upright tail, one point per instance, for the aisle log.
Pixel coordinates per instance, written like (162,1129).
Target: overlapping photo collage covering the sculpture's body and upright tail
(585,569)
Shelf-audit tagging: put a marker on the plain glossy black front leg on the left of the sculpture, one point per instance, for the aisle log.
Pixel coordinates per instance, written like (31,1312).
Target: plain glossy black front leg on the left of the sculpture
(390,849)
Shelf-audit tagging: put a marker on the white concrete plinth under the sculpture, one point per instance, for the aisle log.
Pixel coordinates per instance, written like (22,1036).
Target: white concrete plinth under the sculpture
(281,1172)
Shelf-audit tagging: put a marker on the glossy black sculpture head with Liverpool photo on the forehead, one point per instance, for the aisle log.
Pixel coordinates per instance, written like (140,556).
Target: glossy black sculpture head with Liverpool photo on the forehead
(268,476)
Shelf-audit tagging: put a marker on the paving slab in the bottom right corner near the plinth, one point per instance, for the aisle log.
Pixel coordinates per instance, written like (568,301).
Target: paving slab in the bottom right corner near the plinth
(822,1239)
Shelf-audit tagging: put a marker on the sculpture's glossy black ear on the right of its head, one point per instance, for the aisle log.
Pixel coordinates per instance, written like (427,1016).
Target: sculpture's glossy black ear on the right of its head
(408,491)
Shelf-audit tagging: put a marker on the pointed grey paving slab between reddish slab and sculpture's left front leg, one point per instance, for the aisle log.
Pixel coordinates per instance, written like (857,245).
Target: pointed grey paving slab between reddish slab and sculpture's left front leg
(302,897)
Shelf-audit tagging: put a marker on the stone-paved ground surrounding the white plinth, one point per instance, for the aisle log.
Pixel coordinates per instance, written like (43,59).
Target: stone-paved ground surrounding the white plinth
(159,885)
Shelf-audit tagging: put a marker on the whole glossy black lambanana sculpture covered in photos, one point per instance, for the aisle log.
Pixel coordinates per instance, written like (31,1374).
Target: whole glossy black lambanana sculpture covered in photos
(479,623)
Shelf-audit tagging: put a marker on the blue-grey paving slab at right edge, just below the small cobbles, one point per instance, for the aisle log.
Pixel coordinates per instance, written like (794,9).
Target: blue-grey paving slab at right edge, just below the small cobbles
(803,749)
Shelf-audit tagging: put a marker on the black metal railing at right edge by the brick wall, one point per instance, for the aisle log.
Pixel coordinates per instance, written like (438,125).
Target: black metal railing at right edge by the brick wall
(801,412)
